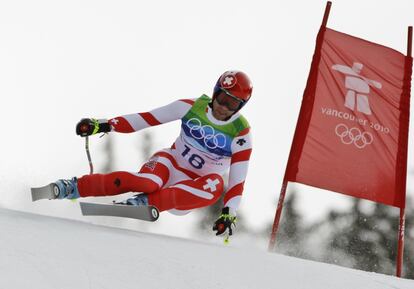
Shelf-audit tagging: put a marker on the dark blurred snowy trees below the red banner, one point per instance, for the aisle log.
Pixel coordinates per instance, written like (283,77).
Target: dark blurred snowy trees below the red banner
(363,237)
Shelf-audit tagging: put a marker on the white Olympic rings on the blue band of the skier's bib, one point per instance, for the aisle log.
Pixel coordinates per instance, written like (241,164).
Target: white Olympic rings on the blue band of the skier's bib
(211,139)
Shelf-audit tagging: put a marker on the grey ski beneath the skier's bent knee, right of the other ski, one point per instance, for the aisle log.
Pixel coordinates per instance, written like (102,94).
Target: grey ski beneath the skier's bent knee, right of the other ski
(145,213)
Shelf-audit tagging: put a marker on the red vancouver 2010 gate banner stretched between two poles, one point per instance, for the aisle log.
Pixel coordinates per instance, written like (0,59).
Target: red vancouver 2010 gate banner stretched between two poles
(353,128)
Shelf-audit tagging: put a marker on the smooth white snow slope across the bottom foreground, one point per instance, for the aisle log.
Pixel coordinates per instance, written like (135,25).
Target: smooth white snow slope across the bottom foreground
(40,252)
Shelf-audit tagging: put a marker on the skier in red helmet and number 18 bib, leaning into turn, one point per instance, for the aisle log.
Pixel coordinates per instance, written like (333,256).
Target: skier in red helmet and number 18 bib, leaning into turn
(214,138)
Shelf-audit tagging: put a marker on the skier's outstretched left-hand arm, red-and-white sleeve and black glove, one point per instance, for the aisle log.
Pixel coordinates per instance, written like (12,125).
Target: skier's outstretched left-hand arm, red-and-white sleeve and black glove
(136,121)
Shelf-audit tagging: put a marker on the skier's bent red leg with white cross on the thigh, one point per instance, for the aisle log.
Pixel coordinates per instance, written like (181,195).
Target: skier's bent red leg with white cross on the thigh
(190,194)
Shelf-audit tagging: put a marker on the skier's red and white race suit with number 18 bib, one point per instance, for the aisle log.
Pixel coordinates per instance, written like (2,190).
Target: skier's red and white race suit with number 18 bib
(189,174)
